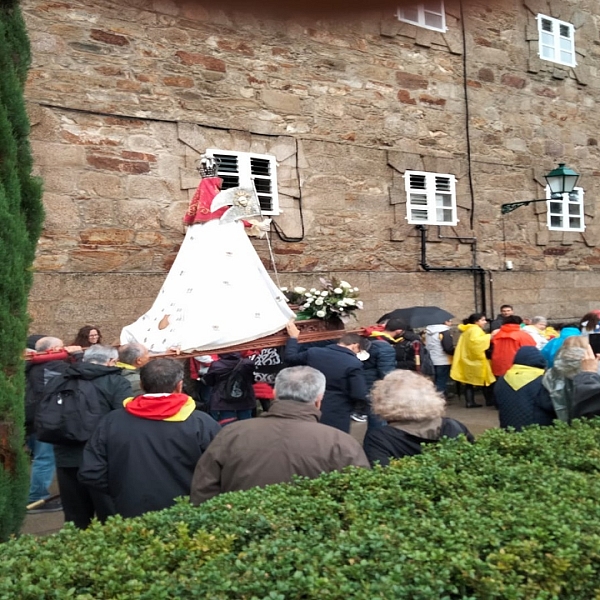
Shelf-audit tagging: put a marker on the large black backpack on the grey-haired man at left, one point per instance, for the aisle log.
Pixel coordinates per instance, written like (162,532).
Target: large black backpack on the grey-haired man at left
(69,413)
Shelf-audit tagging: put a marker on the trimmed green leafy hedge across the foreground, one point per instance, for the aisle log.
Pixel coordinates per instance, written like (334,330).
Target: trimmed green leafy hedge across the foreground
(516,515)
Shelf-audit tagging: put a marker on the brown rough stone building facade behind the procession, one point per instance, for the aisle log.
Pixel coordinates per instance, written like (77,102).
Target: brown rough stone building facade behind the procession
(125,96)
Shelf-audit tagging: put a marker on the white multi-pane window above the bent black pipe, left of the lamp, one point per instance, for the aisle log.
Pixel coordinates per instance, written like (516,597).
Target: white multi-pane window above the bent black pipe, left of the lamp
(423,192)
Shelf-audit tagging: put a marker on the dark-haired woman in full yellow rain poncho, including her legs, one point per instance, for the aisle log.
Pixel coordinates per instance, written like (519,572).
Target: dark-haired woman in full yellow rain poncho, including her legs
(470,365)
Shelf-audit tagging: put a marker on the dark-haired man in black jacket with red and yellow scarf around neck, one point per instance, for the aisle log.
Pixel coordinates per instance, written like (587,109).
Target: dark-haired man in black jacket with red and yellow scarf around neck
(144,456)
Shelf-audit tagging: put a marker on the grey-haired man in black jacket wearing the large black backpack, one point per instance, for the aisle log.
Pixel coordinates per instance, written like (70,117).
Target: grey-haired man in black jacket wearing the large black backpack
(79,502)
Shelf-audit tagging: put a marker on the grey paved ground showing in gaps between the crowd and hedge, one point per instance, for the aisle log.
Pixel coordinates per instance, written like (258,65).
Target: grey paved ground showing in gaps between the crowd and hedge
(476,419)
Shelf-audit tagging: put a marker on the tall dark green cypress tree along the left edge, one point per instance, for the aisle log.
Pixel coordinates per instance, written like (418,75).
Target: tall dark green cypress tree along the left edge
(21,218)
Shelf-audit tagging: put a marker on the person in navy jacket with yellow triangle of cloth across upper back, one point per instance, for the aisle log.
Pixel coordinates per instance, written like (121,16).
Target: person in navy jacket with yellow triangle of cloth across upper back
(520,396)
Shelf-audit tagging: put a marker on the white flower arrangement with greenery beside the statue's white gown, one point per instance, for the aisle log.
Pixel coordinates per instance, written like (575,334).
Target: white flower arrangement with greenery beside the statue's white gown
(335,299)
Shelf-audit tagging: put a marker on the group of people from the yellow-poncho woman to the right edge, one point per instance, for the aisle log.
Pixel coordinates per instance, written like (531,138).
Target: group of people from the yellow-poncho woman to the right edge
(532,373)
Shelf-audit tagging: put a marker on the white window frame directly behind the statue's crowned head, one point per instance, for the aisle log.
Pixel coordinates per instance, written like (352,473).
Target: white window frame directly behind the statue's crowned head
(246,175)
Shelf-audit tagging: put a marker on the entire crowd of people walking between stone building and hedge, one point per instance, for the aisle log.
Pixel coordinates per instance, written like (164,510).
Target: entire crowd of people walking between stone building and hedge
(126,433)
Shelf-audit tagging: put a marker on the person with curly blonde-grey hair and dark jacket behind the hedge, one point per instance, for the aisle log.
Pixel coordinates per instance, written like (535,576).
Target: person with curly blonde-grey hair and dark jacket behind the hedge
(414,411)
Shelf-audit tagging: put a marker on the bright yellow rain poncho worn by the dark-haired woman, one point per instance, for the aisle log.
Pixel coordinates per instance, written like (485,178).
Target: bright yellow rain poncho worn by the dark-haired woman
(469,364)
